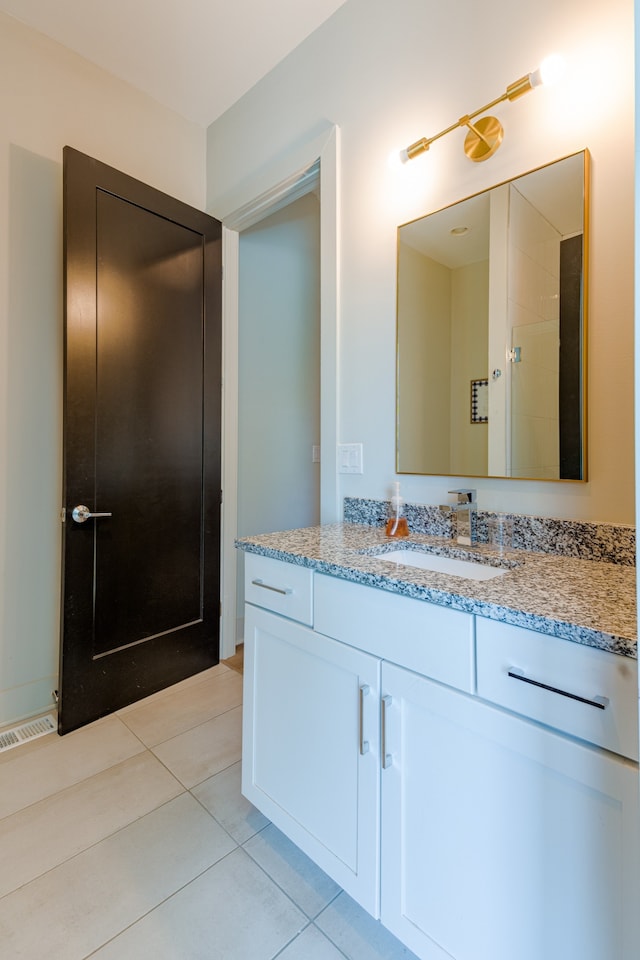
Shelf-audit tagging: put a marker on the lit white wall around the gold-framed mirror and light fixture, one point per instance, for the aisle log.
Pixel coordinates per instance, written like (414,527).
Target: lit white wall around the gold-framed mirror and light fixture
(390,73)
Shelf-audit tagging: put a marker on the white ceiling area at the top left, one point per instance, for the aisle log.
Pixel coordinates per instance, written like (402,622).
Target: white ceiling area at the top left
(195,56)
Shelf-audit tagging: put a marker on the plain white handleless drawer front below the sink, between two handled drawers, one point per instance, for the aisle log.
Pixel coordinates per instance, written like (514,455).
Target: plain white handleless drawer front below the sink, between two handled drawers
(424,637)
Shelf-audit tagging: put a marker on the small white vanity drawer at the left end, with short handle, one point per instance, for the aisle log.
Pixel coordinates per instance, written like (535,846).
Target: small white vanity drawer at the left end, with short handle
(285,588)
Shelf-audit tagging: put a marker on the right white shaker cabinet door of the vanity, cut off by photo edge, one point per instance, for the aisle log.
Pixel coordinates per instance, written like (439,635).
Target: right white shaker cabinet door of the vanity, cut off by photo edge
(501,839)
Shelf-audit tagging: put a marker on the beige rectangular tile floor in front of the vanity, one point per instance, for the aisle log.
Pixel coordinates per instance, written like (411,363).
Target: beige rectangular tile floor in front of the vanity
(129,840)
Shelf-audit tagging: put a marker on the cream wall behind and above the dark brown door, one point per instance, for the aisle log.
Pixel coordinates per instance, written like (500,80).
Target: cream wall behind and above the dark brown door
(49,98)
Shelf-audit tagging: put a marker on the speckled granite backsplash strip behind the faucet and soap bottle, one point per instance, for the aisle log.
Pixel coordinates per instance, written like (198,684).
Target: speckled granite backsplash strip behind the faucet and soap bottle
(613,543)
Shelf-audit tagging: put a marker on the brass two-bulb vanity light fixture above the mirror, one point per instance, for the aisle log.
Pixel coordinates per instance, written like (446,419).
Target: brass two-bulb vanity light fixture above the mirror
(485,135)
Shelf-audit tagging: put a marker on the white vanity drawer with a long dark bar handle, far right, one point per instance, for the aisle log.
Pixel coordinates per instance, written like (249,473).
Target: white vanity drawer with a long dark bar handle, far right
(606,684)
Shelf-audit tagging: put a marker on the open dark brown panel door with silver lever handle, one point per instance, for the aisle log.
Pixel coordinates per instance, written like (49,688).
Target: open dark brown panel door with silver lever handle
(142,441)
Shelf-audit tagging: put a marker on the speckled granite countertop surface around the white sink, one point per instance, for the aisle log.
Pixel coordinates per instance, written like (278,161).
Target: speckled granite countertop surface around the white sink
(585,601)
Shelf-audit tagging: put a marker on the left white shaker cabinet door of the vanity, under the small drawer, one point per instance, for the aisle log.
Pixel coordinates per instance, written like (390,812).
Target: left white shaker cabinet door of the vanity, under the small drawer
(310,747)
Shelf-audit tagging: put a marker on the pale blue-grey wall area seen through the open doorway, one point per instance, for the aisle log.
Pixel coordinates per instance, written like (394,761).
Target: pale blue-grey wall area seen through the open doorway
(279,374)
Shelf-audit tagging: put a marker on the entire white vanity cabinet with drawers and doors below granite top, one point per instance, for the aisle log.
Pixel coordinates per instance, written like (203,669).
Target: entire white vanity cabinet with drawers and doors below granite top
(381,738)
